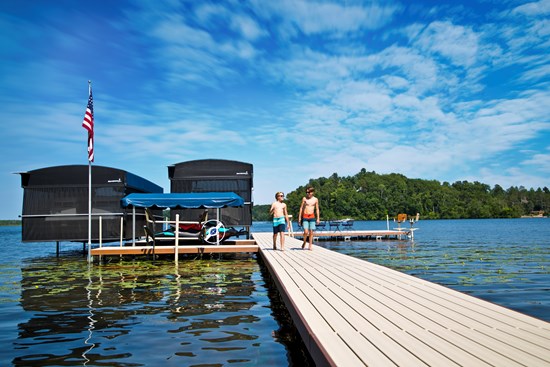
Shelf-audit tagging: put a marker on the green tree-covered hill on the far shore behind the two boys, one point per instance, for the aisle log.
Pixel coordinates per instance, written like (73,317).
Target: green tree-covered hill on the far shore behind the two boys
(372,196)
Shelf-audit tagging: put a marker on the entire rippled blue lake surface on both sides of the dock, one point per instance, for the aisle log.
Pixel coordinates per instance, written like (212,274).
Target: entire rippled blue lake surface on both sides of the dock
(222,311)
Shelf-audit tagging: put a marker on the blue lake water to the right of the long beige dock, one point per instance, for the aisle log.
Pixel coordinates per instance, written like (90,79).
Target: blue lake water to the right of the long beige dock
(505,261)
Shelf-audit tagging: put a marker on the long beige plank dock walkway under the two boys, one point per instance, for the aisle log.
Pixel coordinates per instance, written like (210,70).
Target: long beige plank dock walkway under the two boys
(351,312)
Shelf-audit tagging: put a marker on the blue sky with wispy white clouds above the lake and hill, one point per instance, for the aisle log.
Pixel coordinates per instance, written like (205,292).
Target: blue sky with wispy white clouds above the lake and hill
(439,90)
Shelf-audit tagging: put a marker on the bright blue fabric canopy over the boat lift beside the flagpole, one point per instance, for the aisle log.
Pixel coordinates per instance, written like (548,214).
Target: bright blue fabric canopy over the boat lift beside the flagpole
(194,200)
